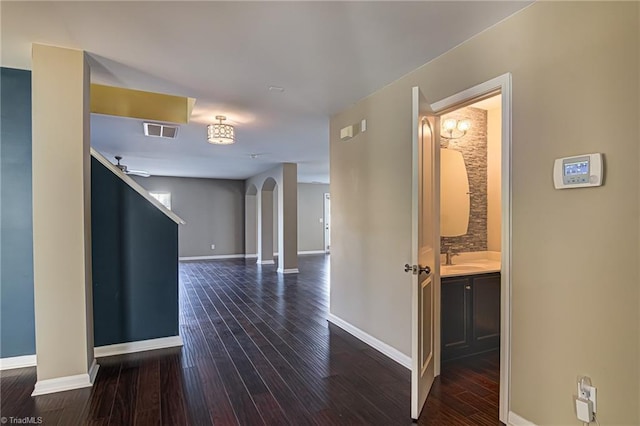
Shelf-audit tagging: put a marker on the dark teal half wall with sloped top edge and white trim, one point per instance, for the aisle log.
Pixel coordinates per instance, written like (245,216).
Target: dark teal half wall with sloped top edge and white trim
(135,263)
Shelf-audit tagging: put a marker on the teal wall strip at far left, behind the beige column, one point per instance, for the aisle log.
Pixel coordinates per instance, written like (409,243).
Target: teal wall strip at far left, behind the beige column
(17,322)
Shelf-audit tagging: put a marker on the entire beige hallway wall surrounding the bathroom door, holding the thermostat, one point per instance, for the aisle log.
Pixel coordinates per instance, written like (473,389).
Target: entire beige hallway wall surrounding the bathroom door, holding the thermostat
(576,280)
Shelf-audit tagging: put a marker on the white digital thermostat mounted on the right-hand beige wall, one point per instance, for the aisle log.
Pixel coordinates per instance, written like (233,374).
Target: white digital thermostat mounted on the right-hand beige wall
(578,172)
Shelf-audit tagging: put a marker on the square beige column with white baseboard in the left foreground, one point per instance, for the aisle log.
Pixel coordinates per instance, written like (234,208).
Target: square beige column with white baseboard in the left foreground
(62,220)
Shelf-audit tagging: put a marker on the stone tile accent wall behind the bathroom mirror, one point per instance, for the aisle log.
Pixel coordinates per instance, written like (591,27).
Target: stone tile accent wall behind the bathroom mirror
(474,151)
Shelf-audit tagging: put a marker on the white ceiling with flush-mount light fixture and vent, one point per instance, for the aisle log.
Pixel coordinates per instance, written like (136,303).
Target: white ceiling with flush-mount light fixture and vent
(326,55)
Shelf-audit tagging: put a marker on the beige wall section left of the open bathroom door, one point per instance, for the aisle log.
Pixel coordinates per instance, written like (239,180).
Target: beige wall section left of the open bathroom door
(371,217)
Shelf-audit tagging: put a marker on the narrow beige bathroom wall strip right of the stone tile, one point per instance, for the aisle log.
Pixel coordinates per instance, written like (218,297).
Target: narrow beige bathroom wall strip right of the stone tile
(494,197)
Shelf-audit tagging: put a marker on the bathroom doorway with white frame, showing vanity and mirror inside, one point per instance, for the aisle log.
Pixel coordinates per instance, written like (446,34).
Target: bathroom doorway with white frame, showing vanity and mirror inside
(473,302)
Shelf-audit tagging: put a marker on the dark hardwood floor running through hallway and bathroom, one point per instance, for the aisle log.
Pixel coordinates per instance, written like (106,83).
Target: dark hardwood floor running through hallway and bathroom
(258,350)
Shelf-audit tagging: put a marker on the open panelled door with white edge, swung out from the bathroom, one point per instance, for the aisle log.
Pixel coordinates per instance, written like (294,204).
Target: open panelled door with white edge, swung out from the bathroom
(425,251)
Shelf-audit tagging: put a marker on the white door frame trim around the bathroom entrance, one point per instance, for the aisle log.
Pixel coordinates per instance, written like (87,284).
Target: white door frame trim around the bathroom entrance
(500,84)
